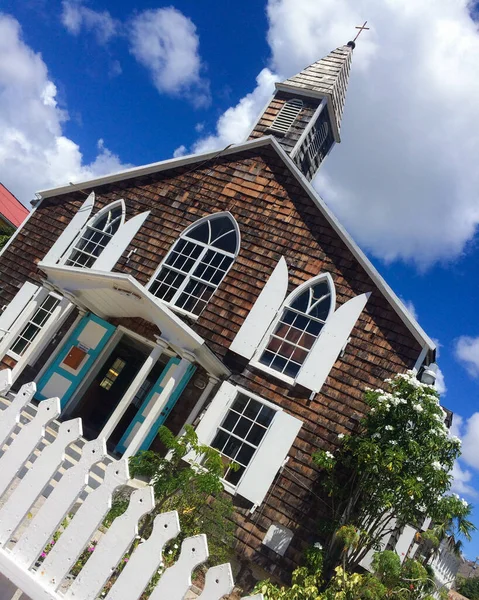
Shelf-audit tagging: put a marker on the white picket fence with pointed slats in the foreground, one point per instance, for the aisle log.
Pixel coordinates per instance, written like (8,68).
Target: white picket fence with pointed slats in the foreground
(27,526)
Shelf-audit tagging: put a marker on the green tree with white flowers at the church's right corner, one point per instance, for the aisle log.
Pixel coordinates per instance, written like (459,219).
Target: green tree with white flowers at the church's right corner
(395,470)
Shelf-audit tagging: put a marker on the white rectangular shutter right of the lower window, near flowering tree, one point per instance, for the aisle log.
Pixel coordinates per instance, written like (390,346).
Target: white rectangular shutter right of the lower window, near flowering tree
(269,457)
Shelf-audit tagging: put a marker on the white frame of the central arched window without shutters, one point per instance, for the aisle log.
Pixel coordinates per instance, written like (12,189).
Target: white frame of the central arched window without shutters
(171,303)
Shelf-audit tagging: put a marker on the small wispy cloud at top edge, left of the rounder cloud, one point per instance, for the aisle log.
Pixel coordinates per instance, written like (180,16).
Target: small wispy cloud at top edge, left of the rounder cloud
(75,17)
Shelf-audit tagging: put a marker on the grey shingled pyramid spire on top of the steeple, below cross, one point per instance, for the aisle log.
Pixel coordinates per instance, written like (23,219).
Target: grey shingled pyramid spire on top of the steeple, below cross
(328,78)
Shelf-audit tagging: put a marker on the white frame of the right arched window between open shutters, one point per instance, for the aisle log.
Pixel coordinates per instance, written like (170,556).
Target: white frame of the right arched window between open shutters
(255,361)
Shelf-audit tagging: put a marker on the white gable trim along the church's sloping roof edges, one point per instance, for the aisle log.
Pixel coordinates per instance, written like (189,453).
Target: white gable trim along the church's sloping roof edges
(413,326)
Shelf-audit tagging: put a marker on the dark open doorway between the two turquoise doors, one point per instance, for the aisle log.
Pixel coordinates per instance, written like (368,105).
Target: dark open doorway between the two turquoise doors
(109,385)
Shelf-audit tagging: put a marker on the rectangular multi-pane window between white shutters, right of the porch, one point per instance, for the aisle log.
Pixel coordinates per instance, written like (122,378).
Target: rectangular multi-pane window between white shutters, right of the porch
(240,433)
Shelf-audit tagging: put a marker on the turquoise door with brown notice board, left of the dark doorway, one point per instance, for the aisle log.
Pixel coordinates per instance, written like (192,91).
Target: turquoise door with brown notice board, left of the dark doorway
(75,359)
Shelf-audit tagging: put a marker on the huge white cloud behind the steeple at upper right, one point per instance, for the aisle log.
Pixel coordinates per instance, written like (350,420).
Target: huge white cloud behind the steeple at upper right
(404,181)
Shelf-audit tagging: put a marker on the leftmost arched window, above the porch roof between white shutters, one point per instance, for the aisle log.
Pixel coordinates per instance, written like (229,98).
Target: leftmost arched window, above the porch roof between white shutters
(96,235)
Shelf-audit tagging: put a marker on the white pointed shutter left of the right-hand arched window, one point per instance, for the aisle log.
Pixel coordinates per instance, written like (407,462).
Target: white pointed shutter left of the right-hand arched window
(264,310)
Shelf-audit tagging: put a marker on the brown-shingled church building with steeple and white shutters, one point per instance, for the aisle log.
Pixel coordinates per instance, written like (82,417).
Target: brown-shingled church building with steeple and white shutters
(216,290)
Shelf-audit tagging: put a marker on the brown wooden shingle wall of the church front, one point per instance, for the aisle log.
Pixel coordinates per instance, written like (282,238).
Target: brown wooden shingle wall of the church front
(276,218)
